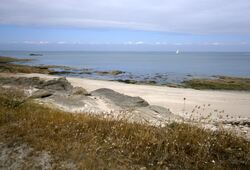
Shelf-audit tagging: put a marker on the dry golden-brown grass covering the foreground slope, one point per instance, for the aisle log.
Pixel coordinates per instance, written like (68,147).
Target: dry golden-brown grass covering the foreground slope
(95,143)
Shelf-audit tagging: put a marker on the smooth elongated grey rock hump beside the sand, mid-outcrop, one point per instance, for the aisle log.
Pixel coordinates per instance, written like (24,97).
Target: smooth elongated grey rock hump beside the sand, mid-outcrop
(119,99)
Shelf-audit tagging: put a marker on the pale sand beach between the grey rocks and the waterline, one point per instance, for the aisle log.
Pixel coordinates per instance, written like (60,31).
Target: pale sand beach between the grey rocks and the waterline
(232,103)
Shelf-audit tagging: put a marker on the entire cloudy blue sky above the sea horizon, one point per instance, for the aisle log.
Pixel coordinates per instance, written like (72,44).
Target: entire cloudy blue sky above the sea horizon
(125,25)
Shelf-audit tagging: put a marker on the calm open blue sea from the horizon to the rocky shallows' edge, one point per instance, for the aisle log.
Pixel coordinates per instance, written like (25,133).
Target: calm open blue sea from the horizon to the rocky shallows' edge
(201,64)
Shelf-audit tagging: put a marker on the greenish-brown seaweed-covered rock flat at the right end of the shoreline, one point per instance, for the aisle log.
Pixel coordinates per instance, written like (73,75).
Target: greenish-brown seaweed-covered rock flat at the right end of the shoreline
(219,83)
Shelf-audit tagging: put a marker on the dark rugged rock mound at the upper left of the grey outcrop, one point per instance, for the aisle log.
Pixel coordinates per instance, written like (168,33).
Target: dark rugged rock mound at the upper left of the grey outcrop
(60,84)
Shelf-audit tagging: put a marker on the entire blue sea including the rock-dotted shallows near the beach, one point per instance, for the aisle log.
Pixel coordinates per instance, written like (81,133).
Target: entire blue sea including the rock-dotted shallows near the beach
(156,68)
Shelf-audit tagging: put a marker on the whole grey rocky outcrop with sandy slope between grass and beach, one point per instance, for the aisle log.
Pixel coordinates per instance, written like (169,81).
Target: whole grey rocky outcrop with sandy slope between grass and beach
(61,94)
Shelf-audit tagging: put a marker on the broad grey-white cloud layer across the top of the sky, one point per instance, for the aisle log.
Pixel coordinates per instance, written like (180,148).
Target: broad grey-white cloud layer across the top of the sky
(192,16)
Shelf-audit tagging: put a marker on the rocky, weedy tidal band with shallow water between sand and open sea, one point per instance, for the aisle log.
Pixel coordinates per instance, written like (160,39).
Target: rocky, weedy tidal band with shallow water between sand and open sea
(213,82)
